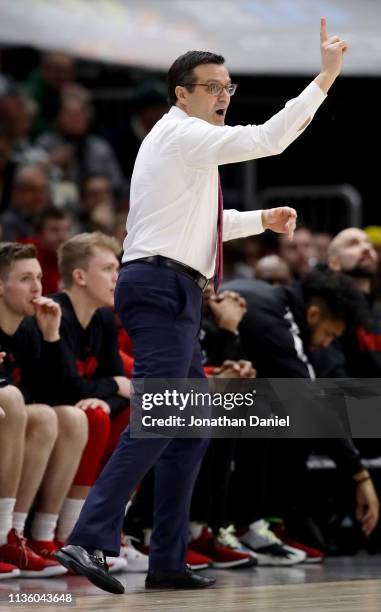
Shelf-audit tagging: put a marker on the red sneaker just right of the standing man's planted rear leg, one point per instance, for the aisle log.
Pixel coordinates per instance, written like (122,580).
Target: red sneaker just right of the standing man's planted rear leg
(222,556)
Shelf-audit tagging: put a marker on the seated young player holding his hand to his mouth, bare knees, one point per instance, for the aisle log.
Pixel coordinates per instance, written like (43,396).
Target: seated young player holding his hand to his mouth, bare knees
(40,446)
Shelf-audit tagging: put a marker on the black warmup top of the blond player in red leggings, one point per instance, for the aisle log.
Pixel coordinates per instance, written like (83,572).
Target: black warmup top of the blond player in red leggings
(91,355)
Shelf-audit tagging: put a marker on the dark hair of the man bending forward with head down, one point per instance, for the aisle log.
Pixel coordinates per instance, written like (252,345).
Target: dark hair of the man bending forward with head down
(336,294)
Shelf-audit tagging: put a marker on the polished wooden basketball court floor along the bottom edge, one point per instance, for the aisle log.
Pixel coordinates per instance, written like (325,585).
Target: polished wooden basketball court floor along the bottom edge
(344,584)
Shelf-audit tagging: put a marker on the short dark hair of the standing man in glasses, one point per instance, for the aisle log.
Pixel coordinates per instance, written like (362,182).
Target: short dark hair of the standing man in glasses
(181,71)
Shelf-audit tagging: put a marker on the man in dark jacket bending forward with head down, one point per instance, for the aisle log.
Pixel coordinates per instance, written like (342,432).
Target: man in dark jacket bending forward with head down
(280,333)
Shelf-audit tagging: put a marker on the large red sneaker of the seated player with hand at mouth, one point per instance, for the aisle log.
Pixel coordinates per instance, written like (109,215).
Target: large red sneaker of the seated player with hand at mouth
(30,564)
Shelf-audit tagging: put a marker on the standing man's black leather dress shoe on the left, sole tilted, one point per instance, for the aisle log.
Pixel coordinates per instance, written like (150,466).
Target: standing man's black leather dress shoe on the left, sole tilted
(93,566)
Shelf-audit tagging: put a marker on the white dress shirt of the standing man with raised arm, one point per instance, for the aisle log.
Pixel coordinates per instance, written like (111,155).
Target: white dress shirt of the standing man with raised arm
(174,185)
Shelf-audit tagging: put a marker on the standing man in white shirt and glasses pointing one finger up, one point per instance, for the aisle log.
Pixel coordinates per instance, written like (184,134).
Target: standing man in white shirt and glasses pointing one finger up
(174,245)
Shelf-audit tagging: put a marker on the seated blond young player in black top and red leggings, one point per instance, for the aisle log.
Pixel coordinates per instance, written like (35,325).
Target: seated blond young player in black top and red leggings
(97,383)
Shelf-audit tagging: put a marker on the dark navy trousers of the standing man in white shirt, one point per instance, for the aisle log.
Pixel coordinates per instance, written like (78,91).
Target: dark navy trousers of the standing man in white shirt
(161,311)
